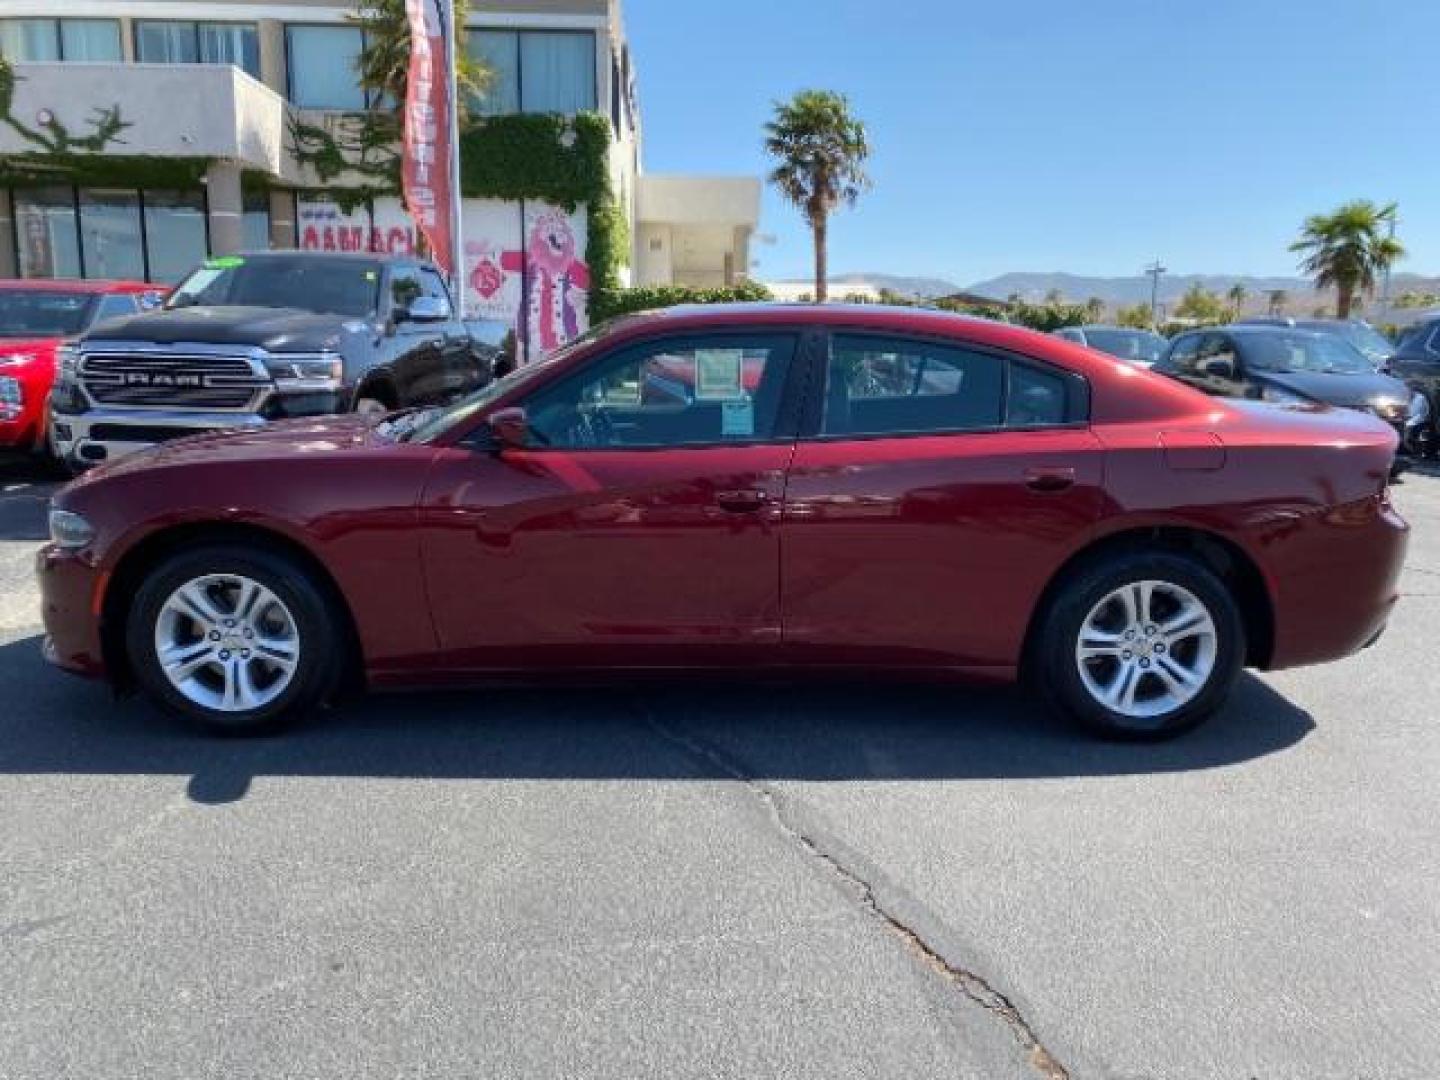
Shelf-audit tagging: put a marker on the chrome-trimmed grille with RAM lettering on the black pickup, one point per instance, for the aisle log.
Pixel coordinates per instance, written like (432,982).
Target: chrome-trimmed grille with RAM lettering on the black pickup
(174,381)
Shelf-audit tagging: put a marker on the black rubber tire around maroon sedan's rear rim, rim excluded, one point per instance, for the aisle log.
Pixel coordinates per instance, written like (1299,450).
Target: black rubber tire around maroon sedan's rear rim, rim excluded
(1058,670)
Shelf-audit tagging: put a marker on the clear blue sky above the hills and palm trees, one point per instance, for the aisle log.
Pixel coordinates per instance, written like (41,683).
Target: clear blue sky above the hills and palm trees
(1065,135)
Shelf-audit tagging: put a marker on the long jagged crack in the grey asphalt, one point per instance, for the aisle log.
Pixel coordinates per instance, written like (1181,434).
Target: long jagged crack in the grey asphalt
(974,987)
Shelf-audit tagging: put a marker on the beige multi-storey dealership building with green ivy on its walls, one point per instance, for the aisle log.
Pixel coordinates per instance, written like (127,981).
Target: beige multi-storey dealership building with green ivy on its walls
(138,138)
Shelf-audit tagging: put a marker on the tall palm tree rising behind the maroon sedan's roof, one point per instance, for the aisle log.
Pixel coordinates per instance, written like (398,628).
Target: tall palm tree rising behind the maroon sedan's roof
(820,153)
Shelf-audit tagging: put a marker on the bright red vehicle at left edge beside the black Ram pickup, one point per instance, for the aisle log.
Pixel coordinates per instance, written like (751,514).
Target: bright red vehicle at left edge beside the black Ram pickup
(35,319)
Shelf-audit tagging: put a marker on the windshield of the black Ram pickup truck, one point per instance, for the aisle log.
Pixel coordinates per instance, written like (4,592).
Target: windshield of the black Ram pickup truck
(338,287)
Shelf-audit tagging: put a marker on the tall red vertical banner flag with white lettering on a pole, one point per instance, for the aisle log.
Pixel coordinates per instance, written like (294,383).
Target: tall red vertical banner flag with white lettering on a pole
(430,149)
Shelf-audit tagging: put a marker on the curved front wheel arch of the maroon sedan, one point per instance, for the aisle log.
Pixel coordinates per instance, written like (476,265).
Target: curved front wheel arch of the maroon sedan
(155,549)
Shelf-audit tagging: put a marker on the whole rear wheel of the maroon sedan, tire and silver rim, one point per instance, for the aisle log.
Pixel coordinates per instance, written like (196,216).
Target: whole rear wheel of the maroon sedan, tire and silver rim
(1141,646)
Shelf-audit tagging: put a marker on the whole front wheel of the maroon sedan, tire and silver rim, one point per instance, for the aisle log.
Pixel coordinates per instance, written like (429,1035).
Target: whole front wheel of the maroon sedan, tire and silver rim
(234,640)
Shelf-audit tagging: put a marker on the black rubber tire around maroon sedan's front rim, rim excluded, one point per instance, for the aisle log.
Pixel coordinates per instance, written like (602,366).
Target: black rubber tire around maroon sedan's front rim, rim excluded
(322,646)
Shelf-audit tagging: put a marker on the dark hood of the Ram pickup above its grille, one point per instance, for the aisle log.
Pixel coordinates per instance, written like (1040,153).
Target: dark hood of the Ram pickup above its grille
(280,330)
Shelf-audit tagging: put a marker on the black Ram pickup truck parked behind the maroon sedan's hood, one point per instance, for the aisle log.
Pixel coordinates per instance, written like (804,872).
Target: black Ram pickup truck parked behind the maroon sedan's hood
(250,339)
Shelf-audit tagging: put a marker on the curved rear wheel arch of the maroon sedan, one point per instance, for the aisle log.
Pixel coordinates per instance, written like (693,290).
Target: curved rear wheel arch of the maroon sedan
(1226,559)
